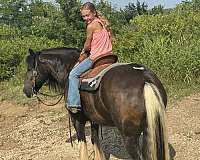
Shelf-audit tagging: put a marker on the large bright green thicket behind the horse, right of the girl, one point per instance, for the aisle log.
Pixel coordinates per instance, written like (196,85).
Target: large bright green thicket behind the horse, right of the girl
(169,44)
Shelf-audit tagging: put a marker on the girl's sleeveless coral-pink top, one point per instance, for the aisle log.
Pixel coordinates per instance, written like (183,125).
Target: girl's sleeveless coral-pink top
(101,43)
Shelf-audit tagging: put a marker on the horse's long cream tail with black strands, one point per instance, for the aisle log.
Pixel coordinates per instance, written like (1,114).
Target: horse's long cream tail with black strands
(156,134)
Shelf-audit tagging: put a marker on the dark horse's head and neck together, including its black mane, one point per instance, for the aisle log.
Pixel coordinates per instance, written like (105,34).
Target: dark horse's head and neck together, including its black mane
(52,65)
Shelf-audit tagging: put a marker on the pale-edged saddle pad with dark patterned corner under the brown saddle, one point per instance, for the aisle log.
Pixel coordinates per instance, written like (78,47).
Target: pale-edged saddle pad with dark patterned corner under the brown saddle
(91,84)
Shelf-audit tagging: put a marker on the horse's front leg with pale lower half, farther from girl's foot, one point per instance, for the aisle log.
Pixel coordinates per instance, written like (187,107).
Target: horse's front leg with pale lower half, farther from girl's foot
(98,152)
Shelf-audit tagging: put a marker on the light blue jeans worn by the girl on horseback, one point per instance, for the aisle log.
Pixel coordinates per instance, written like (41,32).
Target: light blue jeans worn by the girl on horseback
(73,98)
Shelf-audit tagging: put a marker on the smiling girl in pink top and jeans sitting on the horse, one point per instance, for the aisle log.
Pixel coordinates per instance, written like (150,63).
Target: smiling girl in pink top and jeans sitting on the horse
(98,42)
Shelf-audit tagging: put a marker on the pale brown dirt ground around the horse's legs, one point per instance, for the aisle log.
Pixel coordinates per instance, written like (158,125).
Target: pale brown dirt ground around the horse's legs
(40,132)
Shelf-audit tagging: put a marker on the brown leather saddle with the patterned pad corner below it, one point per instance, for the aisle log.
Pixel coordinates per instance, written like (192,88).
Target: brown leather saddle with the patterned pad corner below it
(90,80)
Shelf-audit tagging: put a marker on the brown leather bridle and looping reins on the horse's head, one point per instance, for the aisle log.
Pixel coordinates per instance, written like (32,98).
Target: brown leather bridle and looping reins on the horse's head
(34,77)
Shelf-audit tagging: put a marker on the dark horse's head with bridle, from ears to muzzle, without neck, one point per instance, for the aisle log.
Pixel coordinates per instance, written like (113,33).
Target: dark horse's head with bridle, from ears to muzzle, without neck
(36,75)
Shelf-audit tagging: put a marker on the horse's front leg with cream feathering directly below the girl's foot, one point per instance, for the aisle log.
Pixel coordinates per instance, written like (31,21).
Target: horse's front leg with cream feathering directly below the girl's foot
(79,124)
